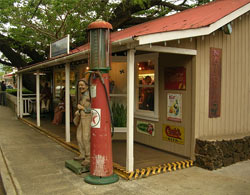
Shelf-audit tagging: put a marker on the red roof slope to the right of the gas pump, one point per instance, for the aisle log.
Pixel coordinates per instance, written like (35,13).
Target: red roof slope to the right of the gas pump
(189,19)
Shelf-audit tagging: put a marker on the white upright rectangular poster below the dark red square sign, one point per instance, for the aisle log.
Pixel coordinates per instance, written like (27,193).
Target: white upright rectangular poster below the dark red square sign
(174,110)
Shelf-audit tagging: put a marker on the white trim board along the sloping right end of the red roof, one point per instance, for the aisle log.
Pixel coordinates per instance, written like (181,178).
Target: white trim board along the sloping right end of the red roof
(182,34)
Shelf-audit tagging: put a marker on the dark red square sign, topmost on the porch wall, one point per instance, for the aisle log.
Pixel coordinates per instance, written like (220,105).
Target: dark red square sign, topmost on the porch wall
(175,78)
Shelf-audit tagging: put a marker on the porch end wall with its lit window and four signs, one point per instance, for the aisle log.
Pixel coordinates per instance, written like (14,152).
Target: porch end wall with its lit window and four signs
(166,123)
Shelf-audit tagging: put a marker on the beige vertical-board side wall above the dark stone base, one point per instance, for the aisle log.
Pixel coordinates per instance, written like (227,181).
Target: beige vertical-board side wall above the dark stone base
(235,86)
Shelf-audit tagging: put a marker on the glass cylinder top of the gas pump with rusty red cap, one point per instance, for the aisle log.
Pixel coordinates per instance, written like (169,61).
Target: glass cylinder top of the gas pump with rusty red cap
(99,33)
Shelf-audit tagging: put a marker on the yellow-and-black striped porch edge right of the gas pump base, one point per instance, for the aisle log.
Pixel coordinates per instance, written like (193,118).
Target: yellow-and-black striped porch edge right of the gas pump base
(145,172)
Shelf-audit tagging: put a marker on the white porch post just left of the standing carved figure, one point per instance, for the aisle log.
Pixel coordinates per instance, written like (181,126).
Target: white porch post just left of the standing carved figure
(67,102)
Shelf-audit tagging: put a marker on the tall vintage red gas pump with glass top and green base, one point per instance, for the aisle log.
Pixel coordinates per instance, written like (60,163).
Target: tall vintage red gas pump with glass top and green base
(101,163)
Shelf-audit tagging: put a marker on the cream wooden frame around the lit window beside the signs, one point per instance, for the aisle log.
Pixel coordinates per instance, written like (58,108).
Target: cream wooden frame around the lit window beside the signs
(147,114)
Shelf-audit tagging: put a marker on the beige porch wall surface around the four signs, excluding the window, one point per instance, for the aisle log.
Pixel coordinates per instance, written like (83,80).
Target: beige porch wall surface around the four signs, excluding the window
(170,60)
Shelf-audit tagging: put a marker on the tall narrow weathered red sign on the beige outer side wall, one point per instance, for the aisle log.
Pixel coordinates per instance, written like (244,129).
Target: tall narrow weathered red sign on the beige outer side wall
(215,82)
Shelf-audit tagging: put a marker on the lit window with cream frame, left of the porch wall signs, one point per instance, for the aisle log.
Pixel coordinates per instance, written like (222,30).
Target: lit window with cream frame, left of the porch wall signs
(147,86)
